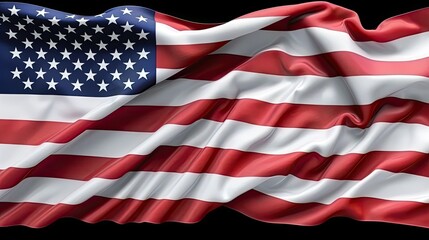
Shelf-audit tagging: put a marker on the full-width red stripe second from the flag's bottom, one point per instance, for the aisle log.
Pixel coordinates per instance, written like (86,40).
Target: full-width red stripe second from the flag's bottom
(227,162)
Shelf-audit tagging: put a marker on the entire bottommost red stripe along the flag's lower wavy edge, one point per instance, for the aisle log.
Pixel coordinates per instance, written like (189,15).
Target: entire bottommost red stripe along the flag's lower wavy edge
(253,204)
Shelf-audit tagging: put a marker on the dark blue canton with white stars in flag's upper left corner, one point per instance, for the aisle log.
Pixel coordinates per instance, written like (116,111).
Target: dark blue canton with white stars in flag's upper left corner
(44,51)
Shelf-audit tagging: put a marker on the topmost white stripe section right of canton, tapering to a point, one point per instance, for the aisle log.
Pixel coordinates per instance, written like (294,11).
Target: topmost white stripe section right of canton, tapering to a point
(166,35)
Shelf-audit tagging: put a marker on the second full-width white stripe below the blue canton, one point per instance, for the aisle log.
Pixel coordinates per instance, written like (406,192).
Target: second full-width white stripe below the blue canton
(230,135)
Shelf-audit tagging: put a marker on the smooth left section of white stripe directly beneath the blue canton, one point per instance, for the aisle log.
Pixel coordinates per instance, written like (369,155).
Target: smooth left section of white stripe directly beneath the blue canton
(58,108)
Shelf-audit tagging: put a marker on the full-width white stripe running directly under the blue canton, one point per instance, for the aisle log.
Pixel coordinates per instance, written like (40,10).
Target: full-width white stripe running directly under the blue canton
(317,90)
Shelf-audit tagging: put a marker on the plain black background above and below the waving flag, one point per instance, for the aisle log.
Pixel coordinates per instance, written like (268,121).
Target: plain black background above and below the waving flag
(218,221)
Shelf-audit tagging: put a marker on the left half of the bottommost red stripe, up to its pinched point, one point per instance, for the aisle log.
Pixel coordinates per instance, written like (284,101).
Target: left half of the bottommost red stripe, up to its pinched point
(97,209)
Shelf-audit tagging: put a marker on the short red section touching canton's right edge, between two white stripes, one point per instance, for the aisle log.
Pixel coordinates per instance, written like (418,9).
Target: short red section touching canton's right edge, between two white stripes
(180,56)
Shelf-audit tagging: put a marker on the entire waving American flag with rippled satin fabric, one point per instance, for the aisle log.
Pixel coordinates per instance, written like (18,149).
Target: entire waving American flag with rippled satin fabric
(292,114)
